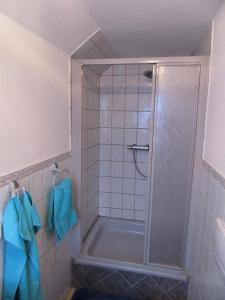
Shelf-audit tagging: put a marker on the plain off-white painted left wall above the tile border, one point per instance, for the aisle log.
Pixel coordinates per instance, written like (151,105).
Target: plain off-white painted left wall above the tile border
(34,98)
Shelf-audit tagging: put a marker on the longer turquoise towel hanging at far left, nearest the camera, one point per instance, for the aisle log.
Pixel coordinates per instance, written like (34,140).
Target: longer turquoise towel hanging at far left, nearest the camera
(21,276)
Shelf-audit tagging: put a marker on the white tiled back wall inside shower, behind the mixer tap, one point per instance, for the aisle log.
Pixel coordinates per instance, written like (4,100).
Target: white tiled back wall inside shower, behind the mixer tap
(125,112)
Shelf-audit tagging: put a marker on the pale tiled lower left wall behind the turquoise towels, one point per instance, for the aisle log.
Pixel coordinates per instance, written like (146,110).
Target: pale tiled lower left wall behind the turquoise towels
(54,257)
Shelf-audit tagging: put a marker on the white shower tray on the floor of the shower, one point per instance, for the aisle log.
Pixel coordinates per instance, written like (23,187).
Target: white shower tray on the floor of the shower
(116,239)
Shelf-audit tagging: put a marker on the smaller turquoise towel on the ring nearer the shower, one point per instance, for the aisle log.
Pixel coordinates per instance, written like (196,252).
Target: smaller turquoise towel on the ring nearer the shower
(61,214)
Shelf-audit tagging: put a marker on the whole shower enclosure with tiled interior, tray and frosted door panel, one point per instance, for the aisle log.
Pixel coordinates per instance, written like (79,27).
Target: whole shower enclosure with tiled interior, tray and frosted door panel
(138,139)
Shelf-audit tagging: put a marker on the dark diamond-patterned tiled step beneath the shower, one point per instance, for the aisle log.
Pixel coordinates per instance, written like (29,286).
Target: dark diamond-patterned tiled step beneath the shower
(131,285)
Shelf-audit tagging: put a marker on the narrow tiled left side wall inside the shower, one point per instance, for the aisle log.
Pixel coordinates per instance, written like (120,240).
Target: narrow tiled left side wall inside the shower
(90,147)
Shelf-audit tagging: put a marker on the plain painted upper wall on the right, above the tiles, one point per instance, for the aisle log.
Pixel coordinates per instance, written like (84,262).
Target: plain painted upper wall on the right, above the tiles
(215,126)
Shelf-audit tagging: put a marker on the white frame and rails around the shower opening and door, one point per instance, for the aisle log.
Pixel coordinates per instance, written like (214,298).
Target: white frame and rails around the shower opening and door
(151,268)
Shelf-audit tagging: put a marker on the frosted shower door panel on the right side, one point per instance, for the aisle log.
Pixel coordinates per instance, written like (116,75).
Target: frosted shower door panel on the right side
(176,99)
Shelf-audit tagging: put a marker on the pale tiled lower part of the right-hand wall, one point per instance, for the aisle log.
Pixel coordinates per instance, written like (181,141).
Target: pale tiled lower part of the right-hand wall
(206,281)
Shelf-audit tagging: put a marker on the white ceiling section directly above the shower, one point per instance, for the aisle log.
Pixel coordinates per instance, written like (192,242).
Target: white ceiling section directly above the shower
(139,28)
